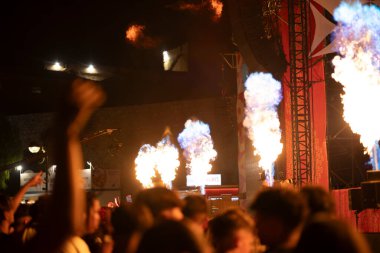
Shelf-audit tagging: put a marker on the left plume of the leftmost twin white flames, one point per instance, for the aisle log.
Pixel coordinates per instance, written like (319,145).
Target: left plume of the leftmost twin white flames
(145,165)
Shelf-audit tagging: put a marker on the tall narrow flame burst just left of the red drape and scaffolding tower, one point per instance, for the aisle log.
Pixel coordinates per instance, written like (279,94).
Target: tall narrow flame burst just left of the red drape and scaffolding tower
(262,96)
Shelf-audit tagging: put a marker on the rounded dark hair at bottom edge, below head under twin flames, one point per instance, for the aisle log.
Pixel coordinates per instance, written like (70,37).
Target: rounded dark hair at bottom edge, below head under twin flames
(170,236)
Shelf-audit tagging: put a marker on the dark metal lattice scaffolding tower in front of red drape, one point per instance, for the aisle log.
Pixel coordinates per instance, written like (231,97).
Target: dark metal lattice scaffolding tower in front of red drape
(298,11)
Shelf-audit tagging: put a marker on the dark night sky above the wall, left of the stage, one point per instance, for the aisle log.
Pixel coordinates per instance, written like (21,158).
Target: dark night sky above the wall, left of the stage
(80,32)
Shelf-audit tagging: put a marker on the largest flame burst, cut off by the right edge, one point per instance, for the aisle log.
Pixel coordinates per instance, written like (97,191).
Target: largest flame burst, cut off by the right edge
(358,69)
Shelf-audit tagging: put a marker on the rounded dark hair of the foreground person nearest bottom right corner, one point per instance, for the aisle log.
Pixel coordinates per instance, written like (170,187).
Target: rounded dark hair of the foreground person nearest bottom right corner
(326,234)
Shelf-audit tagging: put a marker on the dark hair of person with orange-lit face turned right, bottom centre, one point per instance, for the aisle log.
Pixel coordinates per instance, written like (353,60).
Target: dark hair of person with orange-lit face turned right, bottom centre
(223,227)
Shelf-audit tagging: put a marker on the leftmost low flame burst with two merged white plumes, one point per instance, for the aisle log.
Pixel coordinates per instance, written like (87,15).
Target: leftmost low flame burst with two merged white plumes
(161,160)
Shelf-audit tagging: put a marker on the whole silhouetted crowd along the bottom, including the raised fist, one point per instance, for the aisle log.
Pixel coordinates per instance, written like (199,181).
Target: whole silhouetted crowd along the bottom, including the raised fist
(278,219)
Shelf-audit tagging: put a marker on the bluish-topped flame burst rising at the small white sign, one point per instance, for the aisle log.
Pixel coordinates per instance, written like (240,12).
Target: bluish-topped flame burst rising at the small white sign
(199,150)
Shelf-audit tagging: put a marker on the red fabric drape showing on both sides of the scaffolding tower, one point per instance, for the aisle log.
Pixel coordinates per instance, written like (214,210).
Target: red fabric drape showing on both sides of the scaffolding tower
(317,107)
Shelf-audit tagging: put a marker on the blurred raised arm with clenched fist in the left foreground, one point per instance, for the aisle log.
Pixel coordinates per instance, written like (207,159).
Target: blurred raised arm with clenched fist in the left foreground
(66,214)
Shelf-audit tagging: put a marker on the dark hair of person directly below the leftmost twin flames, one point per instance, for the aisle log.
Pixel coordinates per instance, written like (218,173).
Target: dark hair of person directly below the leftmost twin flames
(158,199)
